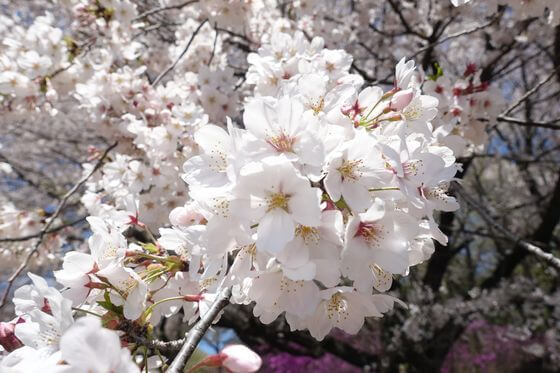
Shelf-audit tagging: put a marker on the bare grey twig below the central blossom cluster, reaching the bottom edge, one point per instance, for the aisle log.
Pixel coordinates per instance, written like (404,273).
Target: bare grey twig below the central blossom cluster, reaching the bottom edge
(194,335)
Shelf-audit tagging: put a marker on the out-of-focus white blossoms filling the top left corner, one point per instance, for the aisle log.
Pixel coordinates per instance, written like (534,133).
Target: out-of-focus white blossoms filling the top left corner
(39,65)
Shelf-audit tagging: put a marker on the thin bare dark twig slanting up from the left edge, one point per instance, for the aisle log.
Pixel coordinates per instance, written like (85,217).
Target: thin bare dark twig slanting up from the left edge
(48,224)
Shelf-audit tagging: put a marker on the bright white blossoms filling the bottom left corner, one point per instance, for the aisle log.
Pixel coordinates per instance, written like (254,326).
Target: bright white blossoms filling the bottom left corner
(44,334)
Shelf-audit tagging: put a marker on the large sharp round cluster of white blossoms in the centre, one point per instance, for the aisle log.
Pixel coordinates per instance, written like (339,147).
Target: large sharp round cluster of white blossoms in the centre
(325,195)
